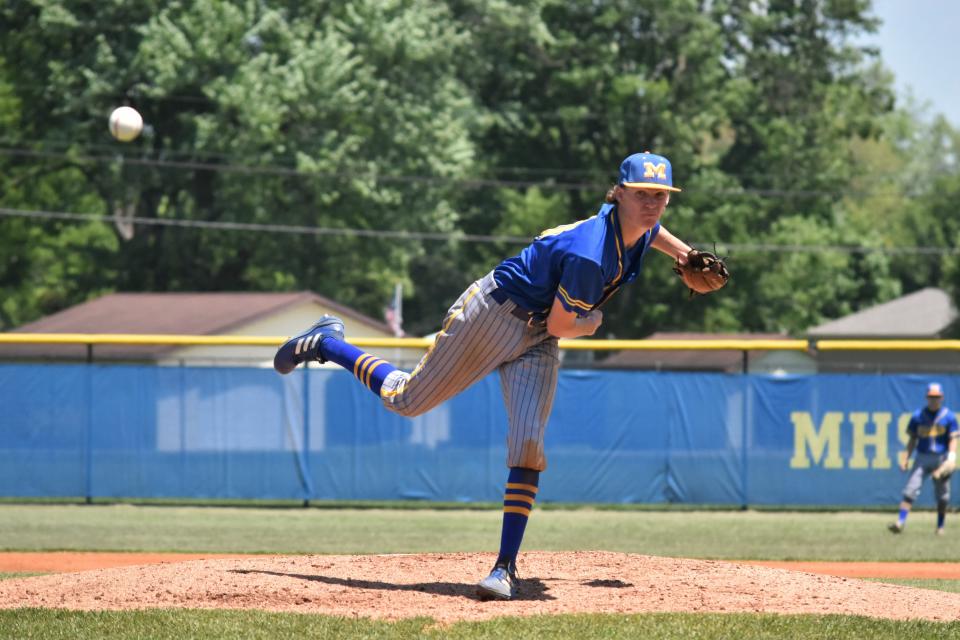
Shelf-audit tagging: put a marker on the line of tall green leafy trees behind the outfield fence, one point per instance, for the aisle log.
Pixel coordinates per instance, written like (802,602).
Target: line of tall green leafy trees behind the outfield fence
(410,130)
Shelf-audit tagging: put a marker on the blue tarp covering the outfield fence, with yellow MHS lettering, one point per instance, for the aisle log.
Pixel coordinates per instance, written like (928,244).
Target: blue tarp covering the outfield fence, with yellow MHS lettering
(615,436)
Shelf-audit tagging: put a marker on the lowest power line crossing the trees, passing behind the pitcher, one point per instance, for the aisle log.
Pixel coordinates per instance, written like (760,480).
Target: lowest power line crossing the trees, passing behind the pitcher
(737,248)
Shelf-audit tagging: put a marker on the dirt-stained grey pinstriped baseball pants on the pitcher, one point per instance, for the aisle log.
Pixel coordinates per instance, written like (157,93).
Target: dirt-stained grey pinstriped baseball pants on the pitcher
(480,336)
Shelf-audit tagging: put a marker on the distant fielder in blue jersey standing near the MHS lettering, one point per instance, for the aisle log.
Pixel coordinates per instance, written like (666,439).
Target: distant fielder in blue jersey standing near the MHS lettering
(933,432)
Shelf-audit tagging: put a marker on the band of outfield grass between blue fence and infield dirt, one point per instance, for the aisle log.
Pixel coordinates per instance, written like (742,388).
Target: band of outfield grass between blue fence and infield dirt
(735,535)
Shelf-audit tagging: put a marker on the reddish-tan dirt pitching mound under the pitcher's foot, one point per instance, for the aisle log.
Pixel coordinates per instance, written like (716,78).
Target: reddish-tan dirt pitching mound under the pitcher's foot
(442,587)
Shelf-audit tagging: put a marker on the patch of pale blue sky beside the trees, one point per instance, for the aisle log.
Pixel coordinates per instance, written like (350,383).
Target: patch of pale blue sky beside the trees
(919,42)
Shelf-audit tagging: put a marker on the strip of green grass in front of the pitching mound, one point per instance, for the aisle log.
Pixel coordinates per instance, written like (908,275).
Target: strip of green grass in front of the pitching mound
(180,625)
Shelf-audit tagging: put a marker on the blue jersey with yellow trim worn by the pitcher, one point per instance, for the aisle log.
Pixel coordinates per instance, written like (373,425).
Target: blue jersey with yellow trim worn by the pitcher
(582,264)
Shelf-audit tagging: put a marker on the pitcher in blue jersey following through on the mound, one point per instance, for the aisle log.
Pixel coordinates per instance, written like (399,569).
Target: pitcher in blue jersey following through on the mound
(509,321)
